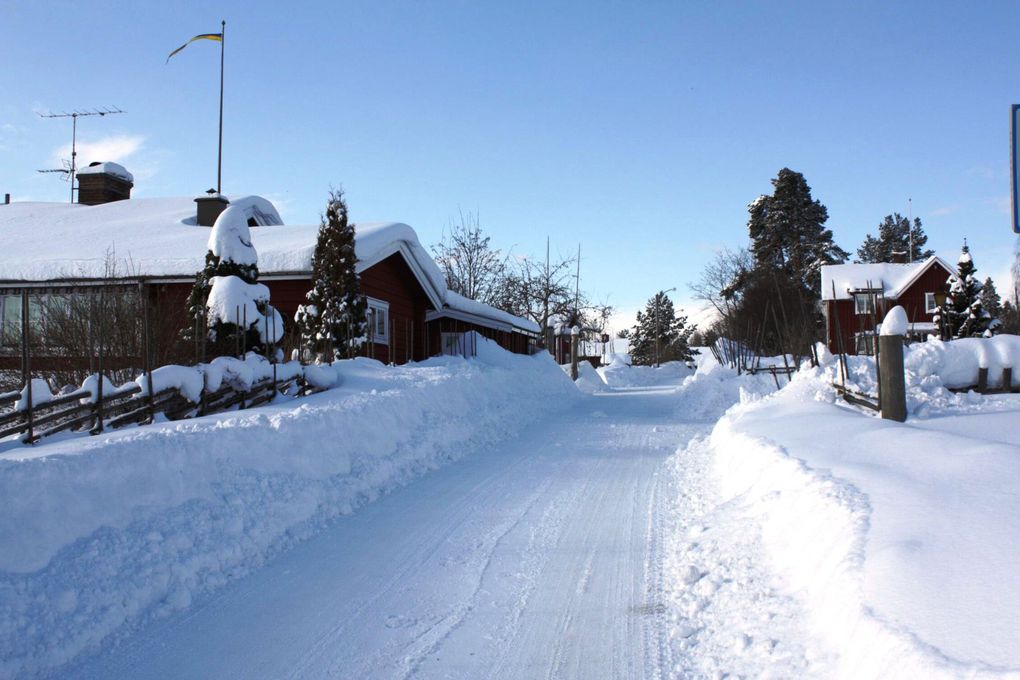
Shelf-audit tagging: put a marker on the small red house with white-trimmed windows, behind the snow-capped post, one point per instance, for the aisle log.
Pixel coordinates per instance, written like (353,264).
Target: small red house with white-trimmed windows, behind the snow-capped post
(857,297)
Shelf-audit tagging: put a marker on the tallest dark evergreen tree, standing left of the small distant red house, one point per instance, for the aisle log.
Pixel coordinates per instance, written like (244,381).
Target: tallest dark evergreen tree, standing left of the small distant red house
(788,233)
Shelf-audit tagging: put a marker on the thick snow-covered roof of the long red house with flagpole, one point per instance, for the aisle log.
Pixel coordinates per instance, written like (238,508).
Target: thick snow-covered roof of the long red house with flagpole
(161,238)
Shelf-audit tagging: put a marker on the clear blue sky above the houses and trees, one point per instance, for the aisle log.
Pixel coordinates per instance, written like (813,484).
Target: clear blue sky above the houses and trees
(641,131)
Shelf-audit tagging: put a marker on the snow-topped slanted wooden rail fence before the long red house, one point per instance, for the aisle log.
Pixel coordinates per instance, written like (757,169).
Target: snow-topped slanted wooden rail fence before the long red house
(176,392)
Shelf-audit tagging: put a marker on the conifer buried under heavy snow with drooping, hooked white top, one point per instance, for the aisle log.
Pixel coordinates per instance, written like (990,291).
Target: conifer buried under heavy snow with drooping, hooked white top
(227,301)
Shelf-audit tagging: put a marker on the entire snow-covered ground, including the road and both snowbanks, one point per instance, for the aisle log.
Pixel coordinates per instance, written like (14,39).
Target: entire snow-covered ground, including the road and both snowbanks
(656,524)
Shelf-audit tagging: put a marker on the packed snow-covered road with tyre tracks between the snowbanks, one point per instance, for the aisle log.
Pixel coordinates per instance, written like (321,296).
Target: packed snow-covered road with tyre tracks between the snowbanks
(535,559)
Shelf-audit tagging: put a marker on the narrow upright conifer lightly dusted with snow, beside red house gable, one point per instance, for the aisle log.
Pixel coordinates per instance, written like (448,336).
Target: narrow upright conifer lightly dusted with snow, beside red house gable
(334,323)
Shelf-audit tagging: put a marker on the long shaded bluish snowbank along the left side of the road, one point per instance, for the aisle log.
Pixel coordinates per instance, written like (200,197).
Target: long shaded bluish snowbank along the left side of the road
(100,535)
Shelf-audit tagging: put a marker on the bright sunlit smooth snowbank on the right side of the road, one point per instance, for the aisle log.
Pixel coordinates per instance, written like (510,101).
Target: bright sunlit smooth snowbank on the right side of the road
(900,540)
